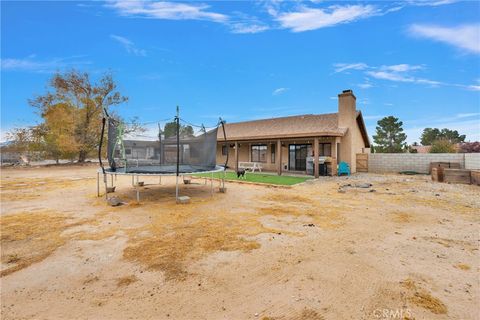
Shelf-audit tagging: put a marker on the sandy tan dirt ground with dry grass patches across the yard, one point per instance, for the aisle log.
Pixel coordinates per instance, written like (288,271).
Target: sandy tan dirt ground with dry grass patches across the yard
(404,248)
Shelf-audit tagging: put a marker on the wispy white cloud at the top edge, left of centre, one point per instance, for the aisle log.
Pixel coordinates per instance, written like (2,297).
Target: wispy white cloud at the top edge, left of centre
(167,10)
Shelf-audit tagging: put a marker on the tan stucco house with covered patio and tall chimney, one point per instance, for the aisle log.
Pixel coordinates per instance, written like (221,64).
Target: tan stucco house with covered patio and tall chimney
(287,144)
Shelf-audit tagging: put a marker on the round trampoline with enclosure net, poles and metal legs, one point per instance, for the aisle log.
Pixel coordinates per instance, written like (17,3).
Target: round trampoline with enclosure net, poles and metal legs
(179,148)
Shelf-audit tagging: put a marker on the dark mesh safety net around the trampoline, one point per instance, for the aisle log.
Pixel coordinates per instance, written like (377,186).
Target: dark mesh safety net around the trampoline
(154,152)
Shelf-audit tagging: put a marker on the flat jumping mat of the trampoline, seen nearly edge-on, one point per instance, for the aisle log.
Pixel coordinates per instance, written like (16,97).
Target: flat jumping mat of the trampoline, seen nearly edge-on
(166,169)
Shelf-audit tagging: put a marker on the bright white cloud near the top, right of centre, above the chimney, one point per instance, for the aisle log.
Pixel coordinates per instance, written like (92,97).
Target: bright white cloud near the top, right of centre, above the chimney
(312,18)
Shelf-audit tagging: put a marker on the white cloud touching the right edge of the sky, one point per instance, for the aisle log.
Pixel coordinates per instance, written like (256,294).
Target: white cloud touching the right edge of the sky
(464,37)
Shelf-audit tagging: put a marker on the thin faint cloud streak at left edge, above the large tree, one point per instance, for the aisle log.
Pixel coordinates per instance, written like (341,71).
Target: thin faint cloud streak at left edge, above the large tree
(31,64)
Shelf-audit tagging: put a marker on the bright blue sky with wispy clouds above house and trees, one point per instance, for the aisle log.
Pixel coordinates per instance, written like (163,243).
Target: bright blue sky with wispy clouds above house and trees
(417,60)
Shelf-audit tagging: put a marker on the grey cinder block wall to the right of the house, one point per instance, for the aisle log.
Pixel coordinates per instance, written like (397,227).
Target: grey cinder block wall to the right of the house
(419,162)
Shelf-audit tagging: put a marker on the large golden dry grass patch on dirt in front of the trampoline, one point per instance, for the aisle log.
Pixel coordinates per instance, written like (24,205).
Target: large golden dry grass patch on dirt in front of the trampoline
(181,236)
